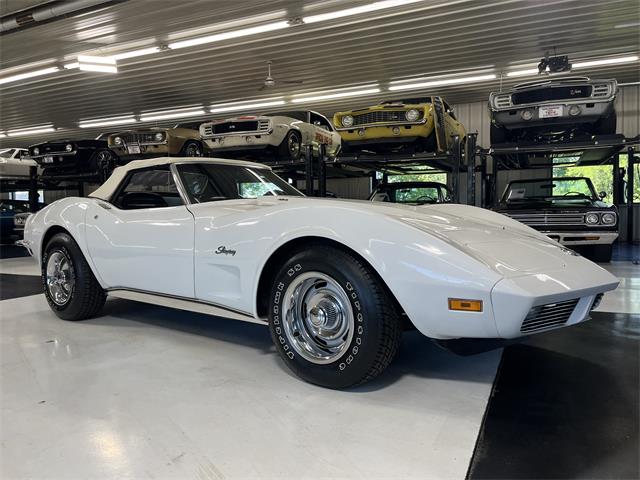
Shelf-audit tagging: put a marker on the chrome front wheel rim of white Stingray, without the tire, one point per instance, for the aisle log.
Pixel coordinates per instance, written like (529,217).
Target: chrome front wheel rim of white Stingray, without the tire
(318,318)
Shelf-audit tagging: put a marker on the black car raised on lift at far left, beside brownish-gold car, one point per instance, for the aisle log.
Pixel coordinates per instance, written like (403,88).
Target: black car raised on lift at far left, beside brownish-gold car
(86,159)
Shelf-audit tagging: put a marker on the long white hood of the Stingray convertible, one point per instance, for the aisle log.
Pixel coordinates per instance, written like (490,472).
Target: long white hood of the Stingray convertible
(504,245)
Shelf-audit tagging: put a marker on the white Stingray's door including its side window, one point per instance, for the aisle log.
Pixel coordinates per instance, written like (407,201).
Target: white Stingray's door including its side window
(143,239)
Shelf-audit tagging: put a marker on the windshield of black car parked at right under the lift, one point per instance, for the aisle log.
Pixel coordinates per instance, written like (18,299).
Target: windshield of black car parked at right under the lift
(550,190)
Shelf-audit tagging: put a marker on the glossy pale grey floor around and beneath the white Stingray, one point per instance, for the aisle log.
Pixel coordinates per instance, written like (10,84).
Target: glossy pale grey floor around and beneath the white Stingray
(149,392)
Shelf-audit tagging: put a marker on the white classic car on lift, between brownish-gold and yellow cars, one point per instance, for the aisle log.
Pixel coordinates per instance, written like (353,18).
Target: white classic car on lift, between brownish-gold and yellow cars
(284,134)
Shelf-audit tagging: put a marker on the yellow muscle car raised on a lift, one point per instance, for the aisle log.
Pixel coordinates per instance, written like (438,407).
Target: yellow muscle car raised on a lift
(411,125)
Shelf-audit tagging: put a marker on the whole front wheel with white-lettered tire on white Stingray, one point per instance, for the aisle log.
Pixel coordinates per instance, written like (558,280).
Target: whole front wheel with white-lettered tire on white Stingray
(332,320)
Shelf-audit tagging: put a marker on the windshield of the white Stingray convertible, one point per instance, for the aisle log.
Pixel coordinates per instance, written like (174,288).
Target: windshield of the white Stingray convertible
(211,182)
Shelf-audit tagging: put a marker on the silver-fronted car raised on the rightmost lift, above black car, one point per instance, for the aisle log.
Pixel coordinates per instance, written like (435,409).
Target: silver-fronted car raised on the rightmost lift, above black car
(553,110)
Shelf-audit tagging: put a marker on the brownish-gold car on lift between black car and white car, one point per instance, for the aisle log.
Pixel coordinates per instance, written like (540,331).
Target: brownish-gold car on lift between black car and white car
(182,140)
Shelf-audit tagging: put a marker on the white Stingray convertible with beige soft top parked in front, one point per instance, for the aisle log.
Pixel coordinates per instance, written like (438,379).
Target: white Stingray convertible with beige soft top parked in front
(334,280)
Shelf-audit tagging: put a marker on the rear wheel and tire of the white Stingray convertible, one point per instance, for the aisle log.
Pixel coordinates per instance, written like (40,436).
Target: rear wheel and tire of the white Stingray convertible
(71,289)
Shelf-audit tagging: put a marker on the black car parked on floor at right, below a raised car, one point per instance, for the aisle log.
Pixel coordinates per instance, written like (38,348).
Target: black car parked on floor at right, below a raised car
(566,209)
